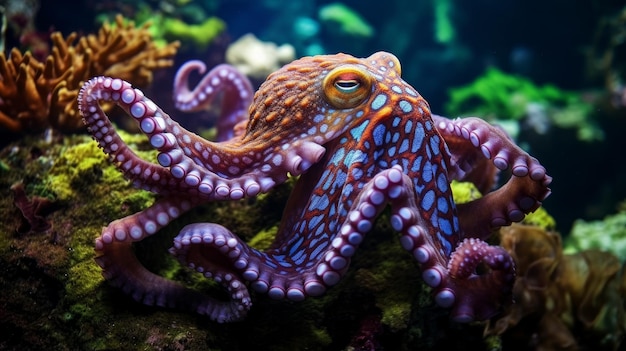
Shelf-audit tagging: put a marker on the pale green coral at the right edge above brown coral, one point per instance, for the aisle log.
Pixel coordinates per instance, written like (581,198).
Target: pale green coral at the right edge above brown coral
(608,234)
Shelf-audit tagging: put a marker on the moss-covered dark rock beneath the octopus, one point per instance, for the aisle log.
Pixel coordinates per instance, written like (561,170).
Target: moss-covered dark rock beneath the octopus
(54,296)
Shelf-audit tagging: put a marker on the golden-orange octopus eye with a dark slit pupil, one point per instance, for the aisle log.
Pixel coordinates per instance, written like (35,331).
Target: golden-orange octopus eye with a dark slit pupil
(346,87)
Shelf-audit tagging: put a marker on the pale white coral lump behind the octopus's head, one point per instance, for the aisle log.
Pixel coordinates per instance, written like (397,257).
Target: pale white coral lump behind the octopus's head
(257,59)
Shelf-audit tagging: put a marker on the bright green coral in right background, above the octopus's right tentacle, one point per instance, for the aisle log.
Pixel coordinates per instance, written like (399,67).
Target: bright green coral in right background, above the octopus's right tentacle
(497,95)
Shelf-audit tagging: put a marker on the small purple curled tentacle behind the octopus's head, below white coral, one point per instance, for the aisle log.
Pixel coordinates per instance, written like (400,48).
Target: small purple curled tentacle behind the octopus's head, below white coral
(223,81)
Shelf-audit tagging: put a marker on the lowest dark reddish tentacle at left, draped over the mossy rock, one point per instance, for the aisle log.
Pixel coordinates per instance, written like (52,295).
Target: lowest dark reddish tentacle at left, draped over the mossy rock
(114,254)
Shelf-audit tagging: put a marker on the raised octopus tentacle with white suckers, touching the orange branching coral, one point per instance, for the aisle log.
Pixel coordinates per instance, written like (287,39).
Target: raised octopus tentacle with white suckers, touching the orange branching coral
(228,170)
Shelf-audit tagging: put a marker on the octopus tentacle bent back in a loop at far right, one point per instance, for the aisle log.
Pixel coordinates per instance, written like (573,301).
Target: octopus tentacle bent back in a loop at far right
(470,139)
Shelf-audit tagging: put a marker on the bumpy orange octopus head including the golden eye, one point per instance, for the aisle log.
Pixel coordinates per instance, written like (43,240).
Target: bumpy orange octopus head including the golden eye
(320,97)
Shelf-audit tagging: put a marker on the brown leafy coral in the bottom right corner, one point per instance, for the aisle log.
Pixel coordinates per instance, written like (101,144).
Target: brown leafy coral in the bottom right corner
(563,302)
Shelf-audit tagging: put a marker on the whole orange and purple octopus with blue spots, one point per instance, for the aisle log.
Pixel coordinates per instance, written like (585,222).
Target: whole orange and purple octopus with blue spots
(359,139)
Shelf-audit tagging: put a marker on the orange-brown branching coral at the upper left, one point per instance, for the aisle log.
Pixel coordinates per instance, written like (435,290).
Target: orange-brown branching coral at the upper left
(36,95)
